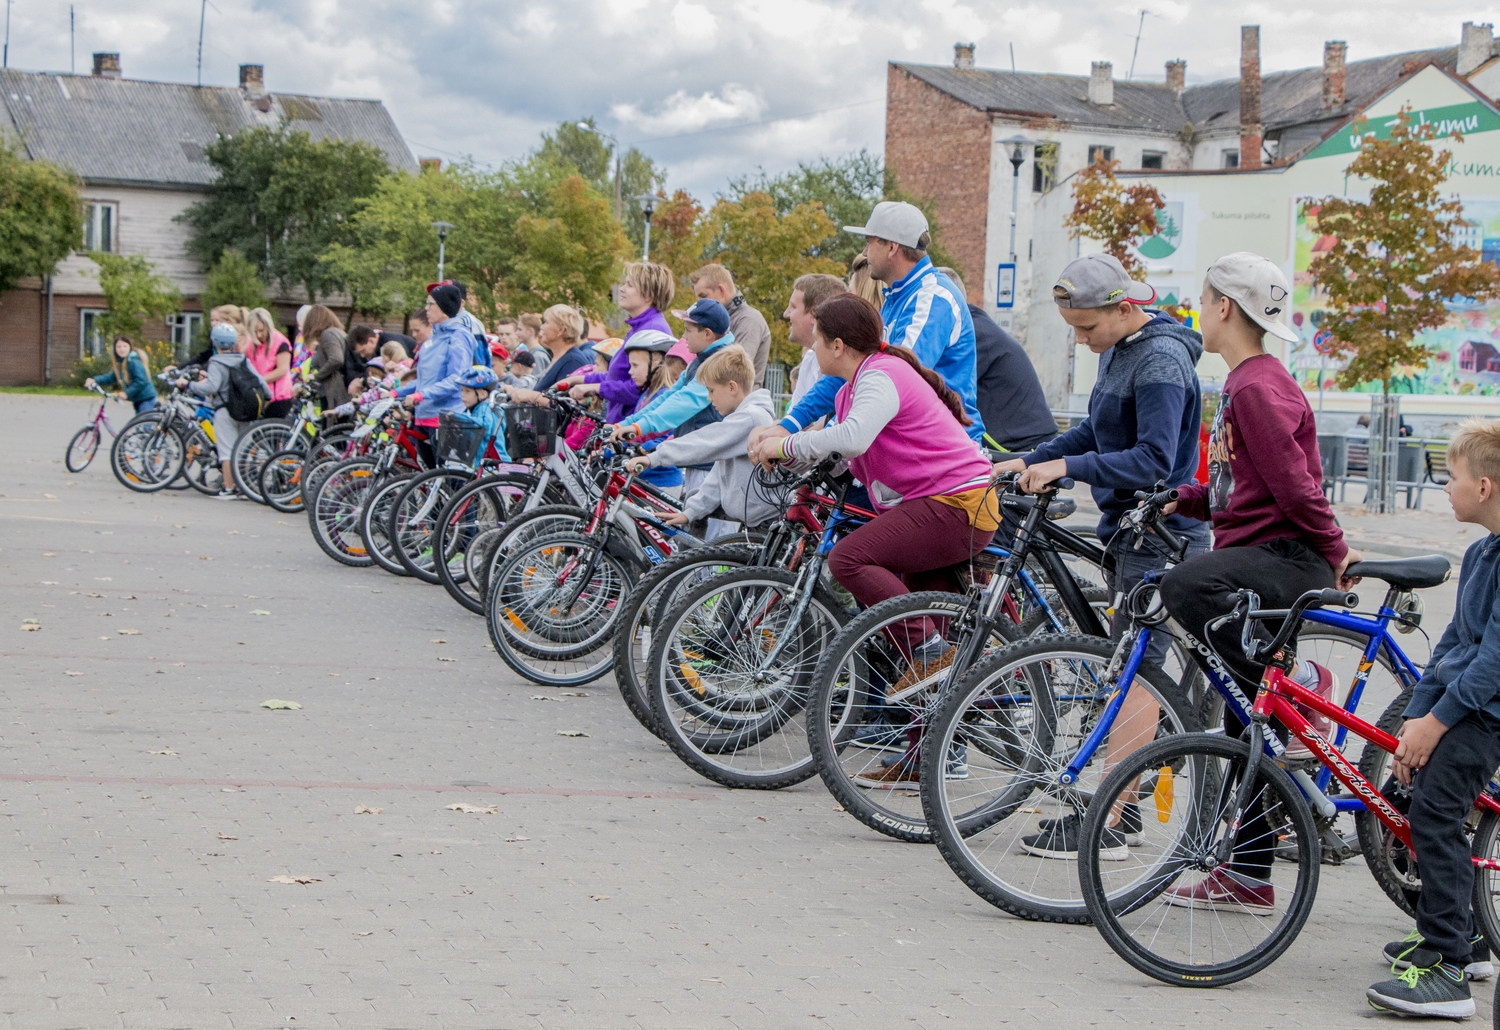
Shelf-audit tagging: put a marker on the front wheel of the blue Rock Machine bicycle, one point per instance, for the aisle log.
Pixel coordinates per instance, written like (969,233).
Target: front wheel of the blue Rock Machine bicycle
(1010,831)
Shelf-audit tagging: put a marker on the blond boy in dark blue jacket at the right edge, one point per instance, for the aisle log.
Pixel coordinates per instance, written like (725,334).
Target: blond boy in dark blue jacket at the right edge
(1450,750)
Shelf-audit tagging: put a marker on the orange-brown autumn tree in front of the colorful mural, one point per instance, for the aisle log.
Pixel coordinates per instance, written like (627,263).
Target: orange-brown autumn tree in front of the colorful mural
(1397,257)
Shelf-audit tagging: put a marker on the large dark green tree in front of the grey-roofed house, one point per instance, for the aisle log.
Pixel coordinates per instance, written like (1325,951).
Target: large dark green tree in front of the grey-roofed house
(281,200)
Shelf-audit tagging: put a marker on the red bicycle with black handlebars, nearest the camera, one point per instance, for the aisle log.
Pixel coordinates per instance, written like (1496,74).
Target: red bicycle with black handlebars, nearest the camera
(1223,834)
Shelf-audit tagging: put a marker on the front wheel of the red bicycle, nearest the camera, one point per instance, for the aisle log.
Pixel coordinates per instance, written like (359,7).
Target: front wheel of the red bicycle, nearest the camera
(1172,909)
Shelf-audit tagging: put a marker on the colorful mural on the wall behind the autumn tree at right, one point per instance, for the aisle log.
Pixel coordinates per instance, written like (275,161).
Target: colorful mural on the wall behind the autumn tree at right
(1468,361)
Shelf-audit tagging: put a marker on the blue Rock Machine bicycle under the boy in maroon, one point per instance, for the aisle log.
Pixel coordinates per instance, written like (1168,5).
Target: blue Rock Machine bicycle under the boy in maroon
(1045,720)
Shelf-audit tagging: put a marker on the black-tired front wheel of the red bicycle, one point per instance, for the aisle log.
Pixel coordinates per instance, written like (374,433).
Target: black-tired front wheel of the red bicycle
(1201,765)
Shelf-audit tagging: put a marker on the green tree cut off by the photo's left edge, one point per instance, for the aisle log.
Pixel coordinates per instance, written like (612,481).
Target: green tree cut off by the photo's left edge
(41,217)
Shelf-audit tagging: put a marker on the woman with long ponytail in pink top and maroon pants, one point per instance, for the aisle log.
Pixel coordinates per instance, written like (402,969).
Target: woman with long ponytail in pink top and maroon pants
(904,433)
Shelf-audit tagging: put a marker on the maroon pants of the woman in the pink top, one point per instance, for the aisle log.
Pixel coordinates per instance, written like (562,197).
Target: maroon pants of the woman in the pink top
(916,546)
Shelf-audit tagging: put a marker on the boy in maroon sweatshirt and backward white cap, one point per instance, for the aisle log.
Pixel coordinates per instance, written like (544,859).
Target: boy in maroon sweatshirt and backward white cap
(1274,531)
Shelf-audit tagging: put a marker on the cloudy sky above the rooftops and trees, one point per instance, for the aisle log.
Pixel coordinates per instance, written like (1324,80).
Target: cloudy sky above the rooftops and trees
(710,89)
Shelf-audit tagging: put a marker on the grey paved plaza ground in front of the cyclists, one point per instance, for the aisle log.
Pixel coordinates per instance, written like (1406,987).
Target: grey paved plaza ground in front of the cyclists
(149,804)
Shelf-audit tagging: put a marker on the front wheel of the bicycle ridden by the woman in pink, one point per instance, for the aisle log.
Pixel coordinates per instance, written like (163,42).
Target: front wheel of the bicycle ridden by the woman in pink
(731,672)
